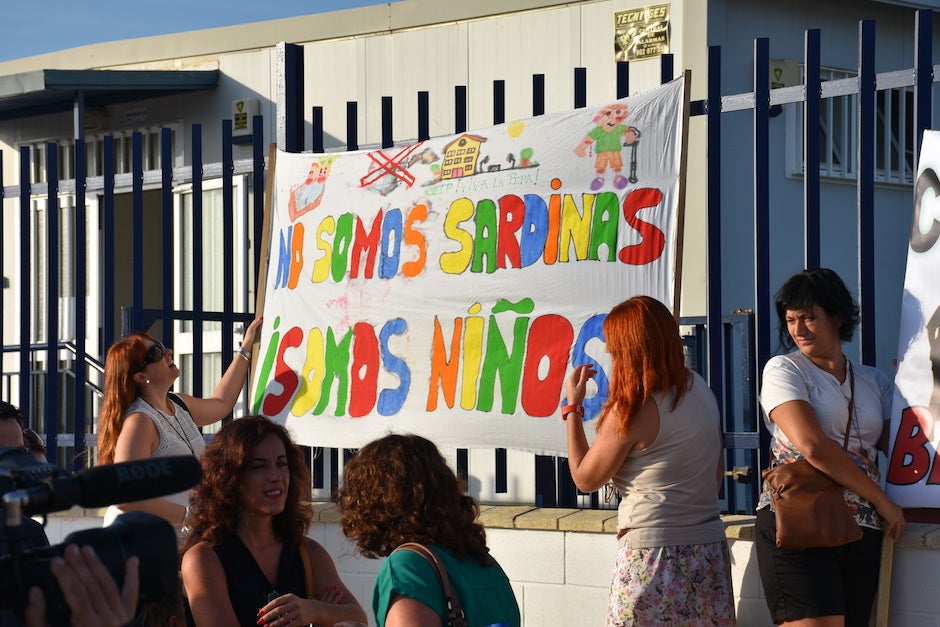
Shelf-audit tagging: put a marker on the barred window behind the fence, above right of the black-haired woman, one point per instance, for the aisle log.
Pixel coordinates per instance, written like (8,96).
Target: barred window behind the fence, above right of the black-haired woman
(894,132)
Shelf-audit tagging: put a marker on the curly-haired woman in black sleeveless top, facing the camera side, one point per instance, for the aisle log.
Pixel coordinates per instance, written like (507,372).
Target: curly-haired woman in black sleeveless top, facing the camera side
(243,561)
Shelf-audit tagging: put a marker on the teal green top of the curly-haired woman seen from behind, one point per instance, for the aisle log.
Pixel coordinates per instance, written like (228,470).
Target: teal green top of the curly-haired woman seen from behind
(484,592)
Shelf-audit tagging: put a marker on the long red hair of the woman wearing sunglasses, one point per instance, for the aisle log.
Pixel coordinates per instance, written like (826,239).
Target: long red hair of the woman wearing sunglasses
(126,357)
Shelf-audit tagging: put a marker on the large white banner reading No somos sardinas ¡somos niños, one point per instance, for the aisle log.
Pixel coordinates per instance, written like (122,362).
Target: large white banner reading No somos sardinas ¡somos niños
(448,286)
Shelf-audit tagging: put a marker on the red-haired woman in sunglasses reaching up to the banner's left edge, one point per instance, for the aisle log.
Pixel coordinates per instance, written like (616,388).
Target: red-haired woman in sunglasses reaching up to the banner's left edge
(140,418)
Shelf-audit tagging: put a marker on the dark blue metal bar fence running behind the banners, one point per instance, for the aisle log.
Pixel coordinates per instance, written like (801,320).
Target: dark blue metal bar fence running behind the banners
(58,380)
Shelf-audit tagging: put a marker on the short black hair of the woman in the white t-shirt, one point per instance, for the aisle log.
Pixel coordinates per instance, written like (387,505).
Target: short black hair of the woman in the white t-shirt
(818,286)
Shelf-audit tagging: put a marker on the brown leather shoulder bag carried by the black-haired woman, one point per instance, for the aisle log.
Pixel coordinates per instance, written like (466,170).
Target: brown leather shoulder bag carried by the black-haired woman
(810,508)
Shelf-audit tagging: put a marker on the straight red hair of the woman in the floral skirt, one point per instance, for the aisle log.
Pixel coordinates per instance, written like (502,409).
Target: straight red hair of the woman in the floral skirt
(643,340)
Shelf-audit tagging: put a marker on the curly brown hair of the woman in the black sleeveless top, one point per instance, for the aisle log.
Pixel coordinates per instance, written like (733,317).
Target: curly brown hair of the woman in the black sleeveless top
(216,503)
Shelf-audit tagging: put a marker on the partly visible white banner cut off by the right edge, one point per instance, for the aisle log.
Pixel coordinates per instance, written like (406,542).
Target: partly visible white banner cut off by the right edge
(913,478)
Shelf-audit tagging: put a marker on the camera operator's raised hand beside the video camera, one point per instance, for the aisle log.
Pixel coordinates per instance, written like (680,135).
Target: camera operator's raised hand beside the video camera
(89,589)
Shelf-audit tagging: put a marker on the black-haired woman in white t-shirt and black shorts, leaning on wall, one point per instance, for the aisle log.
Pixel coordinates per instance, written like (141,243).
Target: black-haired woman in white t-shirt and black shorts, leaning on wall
(807,396)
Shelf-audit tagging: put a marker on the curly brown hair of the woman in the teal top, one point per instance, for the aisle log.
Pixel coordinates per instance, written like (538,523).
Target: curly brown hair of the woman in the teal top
(399,489)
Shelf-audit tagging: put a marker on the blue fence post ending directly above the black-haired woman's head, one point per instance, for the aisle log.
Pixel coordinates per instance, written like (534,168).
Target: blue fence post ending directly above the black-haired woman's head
(811,150)
